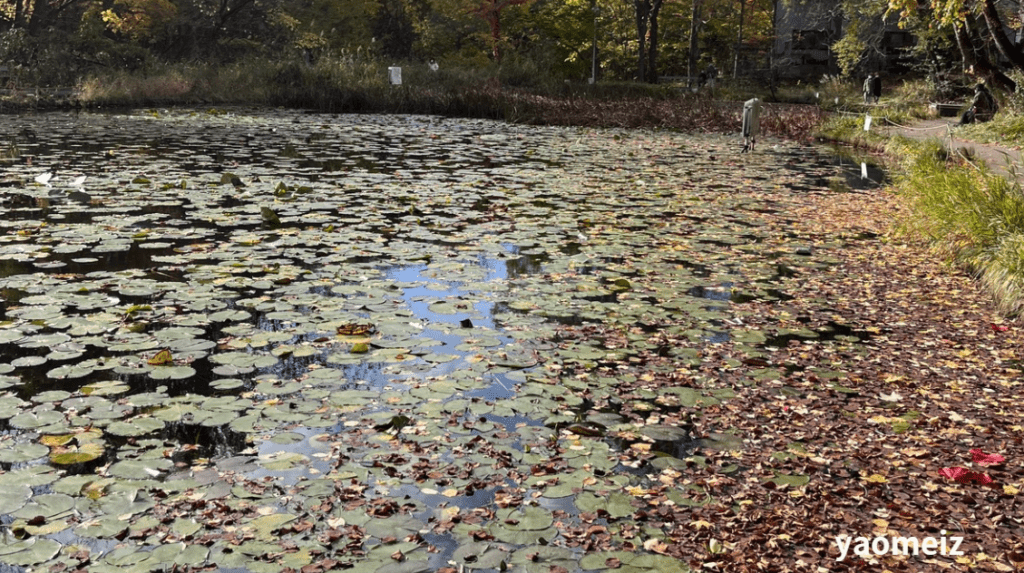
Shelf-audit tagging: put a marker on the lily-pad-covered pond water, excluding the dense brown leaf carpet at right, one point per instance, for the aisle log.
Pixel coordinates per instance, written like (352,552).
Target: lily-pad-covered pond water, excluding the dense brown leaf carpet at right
(272,340)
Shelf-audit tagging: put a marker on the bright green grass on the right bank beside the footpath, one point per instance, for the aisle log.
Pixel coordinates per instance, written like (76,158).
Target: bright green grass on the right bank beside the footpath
(966,214)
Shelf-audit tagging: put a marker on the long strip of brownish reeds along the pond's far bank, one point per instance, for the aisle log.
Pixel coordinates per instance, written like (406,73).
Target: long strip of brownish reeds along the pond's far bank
(516,92)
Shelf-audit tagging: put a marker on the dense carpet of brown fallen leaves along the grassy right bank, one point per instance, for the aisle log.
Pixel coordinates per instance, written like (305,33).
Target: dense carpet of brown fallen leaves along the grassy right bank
(931,374)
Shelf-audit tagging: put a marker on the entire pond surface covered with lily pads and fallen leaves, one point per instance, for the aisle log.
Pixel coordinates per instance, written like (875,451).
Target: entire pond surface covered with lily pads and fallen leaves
(275,341)
